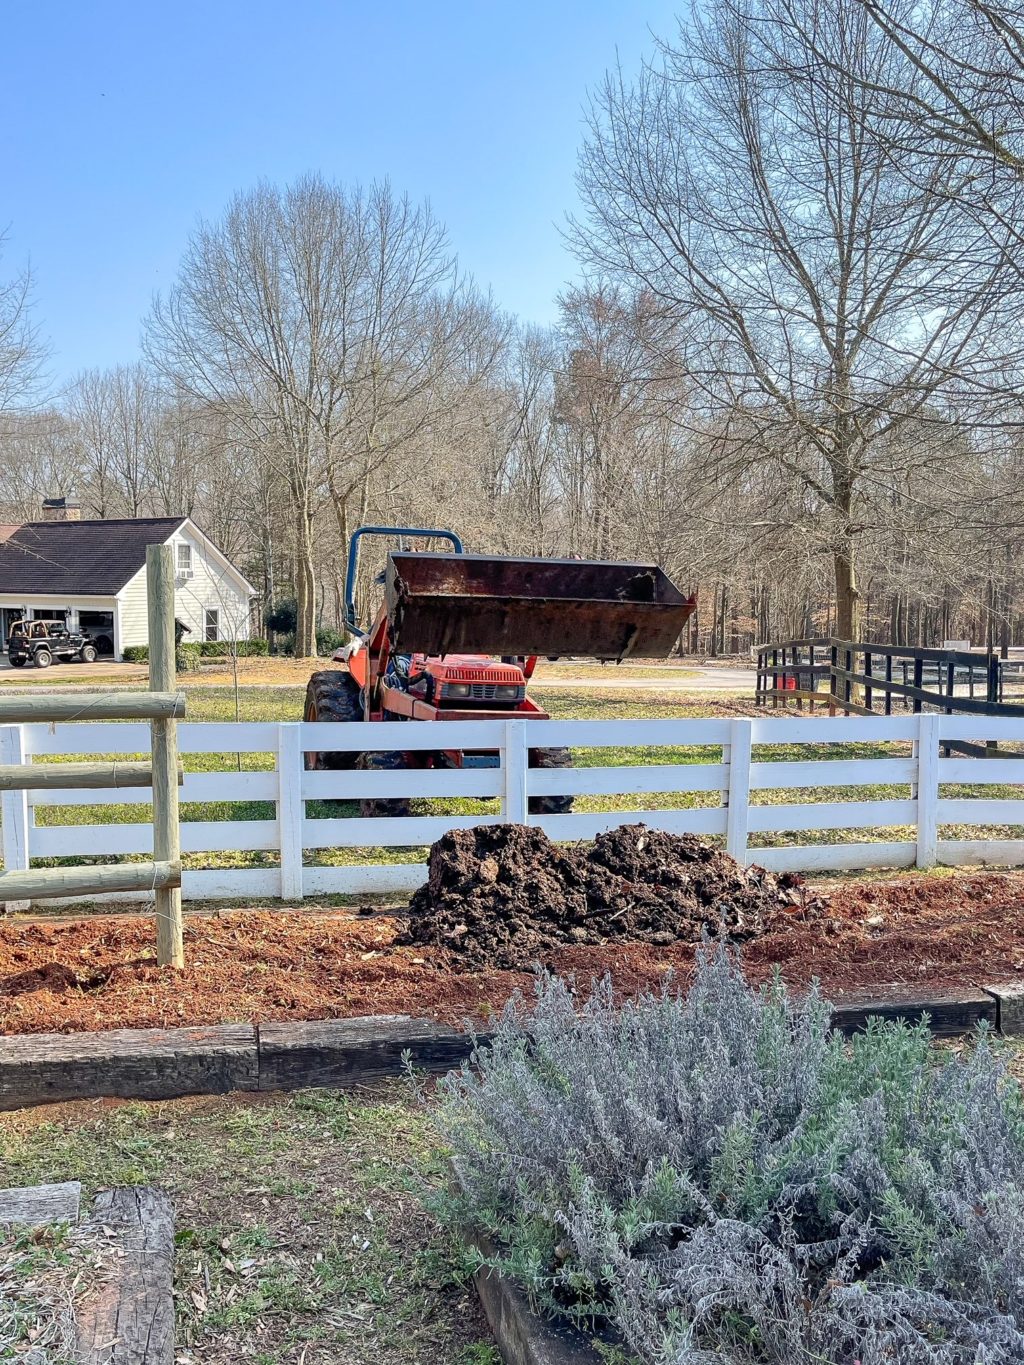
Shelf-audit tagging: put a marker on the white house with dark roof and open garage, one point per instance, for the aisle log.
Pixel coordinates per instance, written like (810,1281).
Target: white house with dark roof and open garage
(94,575)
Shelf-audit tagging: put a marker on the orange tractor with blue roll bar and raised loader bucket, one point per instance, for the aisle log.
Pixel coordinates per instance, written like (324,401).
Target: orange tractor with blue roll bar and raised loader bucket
(429,655)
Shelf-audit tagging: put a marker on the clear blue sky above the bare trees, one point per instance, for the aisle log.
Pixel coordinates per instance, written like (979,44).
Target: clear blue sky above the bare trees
(124,124)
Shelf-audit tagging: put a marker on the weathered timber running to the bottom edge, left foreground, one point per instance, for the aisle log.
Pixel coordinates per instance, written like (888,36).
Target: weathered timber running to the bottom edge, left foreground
(128,1315)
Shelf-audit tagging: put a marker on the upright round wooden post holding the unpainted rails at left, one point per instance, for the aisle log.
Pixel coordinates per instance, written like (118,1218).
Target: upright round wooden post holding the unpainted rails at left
(167,848)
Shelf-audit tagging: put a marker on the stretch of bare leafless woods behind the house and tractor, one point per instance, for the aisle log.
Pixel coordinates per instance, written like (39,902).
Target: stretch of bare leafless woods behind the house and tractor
(791,372)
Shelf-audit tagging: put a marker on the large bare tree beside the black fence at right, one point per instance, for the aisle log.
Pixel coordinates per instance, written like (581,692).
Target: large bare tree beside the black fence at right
(828,297)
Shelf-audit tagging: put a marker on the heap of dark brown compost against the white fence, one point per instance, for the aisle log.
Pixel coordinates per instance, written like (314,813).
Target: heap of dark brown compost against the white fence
(504,897)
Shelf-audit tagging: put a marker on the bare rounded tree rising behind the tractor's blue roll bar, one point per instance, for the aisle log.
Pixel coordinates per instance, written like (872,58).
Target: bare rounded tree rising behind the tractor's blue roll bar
(308,313)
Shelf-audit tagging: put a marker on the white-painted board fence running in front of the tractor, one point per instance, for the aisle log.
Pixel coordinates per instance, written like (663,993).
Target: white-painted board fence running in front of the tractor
(293,839)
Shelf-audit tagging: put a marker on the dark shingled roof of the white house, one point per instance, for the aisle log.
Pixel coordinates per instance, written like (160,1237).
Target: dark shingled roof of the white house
(80,558)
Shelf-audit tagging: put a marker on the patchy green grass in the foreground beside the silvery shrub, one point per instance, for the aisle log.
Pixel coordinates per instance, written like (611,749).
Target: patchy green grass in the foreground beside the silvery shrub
(298,1222)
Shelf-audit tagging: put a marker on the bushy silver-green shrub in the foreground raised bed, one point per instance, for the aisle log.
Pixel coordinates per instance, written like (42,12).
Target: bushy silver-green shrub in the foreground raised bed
(722,1179)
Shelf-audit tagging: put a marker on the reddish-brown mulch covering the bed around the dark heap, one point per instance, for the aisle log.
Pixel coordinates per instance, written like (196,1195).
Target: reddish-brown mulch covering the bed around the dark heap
(911,937)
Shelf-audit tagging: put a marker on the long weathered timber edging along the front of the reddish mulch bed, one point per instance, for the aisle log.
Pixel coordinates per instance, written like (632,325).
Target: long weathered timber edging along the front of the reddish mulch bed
(212,1060)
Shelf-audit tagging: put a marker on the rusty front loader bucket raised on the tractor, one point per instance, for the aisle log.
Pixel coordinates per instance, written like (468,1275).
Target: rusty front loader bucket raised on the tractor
(476,604)
